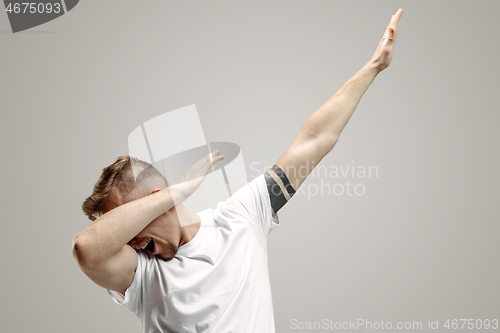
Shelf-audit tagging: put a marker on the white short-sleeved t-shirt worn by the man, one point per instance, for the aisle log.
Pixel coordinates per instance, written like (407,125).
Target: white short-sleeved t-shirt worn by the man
(217,282)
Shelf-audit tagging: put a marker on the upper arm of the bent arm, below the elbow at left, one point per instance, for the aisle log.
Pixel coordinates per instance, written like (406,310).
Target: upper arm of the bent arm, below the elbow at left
(116,273)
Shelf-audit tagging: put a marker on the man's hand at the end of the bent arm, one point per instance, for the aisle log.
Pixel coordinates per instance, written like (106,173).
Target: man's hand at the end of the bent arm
(194,176)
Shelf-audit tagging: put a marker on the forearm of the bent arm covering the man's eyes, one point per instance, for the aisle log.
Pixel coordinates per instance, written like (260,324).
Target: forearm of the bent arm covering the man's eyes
(109,233)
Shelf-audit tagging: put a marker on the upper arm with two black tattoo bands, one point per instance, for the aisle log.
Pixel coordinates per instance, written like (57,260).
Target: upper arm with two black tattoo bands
(296,164)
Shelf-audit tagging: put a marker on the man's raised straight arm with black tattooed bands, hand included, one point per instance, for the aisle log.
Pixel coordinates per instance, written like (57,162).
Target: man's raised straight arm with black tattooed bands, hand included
(321,131)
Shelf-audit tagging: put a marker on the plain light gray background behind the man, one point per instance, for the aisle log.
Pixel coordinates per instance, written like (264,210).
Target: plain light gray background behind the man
(421,244)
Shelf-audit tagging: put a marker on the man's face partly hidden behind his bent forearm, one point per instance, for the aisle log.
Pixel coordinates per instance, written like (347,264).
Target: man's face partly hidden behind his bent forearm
(161,237)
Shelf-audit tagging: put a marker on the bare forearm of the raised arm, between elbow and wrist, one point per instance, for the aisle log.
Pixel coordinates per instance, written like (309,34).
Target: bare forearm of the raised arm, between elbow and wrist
(328,121)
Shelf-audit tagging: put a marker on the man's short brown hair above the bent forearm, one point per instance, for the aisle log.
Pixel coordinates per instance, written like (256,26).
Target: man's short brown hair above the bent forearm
(122,175)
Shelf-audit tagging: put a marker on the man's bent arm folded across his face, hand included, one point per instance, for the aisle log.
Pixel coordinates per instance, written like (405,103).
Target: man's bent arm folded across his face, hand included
(102,249)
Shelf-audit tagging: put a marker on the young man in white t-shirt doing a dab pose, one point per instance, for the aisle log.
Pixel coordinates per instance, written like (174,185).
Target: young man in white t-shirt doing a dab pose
(179,271)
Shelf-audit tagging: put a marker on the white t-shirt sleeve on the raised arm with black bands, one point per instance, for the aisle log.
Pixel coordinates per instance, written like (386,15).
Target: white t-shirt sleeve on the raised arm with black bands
(255,201)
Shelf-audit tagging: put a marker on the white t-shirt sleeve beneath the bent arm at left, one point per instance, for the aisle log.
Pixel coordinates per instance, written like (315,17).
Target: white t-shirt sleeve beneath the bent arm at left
(133,295)
